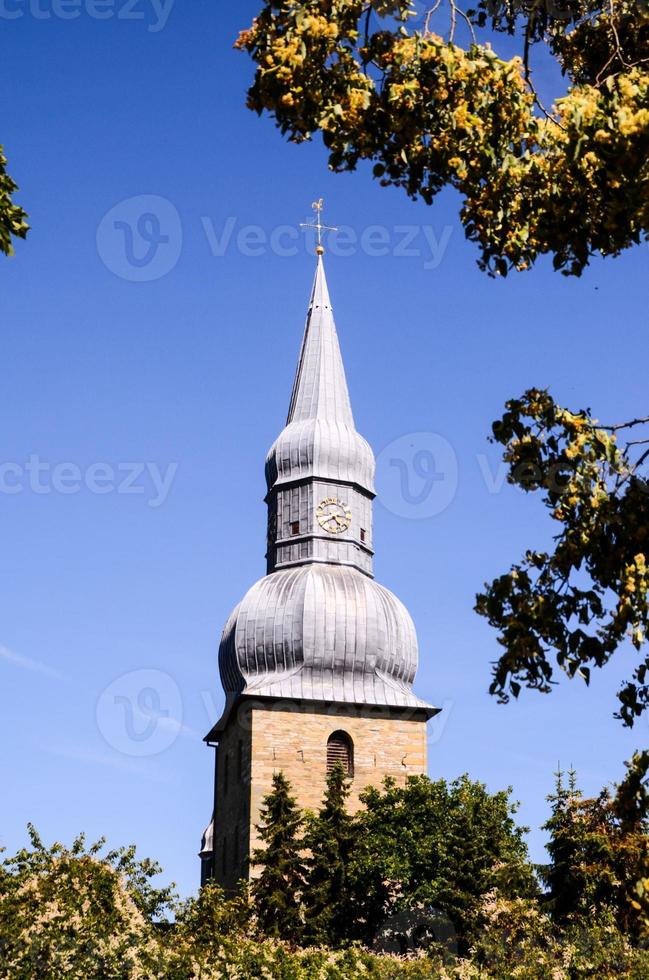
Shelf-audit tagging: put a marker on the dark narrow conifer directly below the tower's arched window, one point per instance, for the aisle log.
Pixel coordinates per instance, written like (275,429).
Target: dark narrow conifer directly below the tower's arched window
(331,838)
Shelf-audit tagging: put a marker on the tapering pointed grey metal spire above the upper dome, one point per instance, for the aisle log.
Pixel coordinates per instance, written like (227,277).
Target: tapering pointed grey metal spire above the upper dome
(320,388)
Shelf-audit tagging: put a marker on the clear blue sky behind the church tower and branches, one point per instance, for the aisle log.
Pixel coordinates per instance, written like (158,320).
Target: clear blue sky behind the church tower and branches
(139,399)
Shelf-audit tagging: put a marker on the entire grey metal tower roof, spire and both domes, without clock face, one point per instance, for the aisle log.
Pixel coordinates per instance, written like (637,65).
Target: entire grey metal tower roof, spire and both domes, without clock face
(322,629)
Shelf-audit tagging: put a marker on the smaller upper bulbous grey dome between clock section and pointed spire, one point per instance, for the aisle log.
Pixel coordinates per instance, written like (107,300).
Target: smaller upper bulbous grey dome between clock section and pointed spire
(323,448)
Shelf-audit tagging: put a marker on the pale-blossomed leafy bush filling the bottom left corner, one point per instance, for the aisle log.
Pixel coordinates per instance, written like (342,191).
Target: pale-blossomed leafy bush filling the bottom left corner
(80,914)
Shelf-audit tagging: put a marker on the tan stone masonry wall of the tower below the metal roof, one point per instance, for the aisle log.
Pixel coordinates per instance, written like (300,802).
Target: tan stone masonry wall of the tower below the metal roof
(262,740)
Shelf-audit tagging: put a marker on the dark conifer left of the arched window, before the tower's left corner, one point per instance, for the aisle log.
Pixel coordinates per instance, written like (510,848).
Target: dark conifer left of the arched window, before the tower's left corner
(278,889)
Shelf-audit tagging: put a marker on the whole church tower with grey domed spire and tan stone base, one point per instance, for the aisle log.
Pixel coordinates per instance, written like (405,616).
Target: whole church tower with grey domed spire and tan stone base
(318,660)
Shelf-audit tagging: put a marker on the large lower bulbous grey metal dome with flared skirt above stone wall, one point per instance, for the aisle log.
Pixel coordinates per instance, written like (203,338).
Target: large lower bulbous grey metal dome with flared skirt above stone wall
(321,632)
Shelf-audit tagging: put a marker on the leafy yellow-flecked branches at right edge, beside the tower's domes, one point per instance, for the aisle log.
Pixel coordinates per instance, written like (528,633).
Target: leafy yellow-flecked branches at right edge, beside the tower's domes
(581,601)
